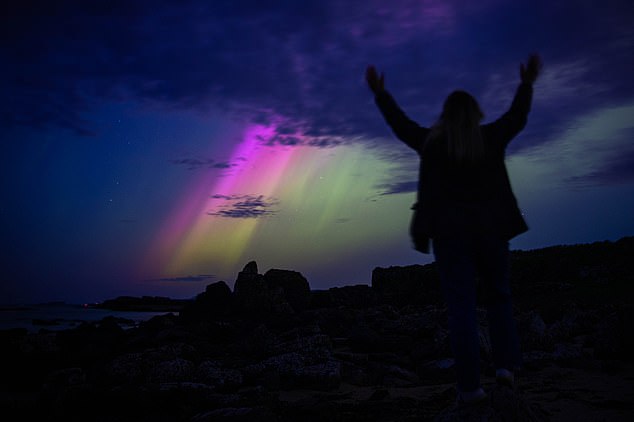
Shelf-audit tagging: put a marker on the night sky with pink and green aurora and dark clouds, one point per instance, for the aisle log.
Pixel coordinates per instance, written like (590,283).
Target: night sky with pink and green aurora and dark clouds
(154,147)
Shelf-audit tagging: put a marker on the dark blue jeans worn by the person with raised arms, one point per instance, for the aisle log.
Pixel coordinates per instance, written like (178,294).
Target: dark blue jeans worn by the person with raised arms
(461,261)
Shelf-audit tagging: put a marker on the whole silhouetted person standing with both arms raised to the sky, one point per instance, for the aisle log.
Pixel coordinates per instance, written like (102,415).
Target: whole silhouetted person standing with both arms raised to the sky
(467,210)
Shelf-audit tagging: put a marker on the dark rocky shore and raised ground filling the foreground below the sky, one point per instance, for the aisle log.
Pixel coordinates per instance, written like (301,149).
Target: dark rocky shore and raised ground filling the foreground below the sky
(272,349)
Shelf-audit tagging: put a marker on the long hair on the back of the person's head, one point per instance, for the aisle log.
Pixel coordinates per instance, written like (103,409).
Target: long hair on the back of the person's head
(459,123)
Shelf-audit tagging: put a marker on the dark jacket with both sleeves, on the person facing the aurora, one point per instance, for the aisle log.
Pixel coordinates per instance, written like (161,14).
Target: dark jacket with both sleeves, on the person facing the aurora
(455,200)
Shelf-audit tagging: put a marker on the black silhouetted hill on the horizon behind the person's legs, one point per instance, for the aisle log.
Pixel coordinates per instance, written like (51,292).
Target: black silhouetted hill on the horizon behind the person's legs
(547,278)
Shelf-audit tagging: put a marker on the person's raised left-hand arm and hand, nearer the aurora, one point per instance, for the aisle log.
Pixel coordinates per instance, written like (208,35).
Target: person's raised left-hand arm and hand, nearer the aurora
(403,127)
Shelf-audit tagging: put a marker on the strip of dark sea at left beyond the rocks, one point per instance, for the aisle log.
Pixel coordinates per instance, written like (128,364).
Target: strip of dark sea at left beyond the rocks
(62,316)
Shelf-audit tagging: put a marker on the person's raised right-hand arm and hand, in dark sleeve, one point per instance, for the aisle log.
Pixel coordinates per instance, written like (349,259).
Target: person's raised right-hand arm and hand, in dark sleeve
(514,120)
